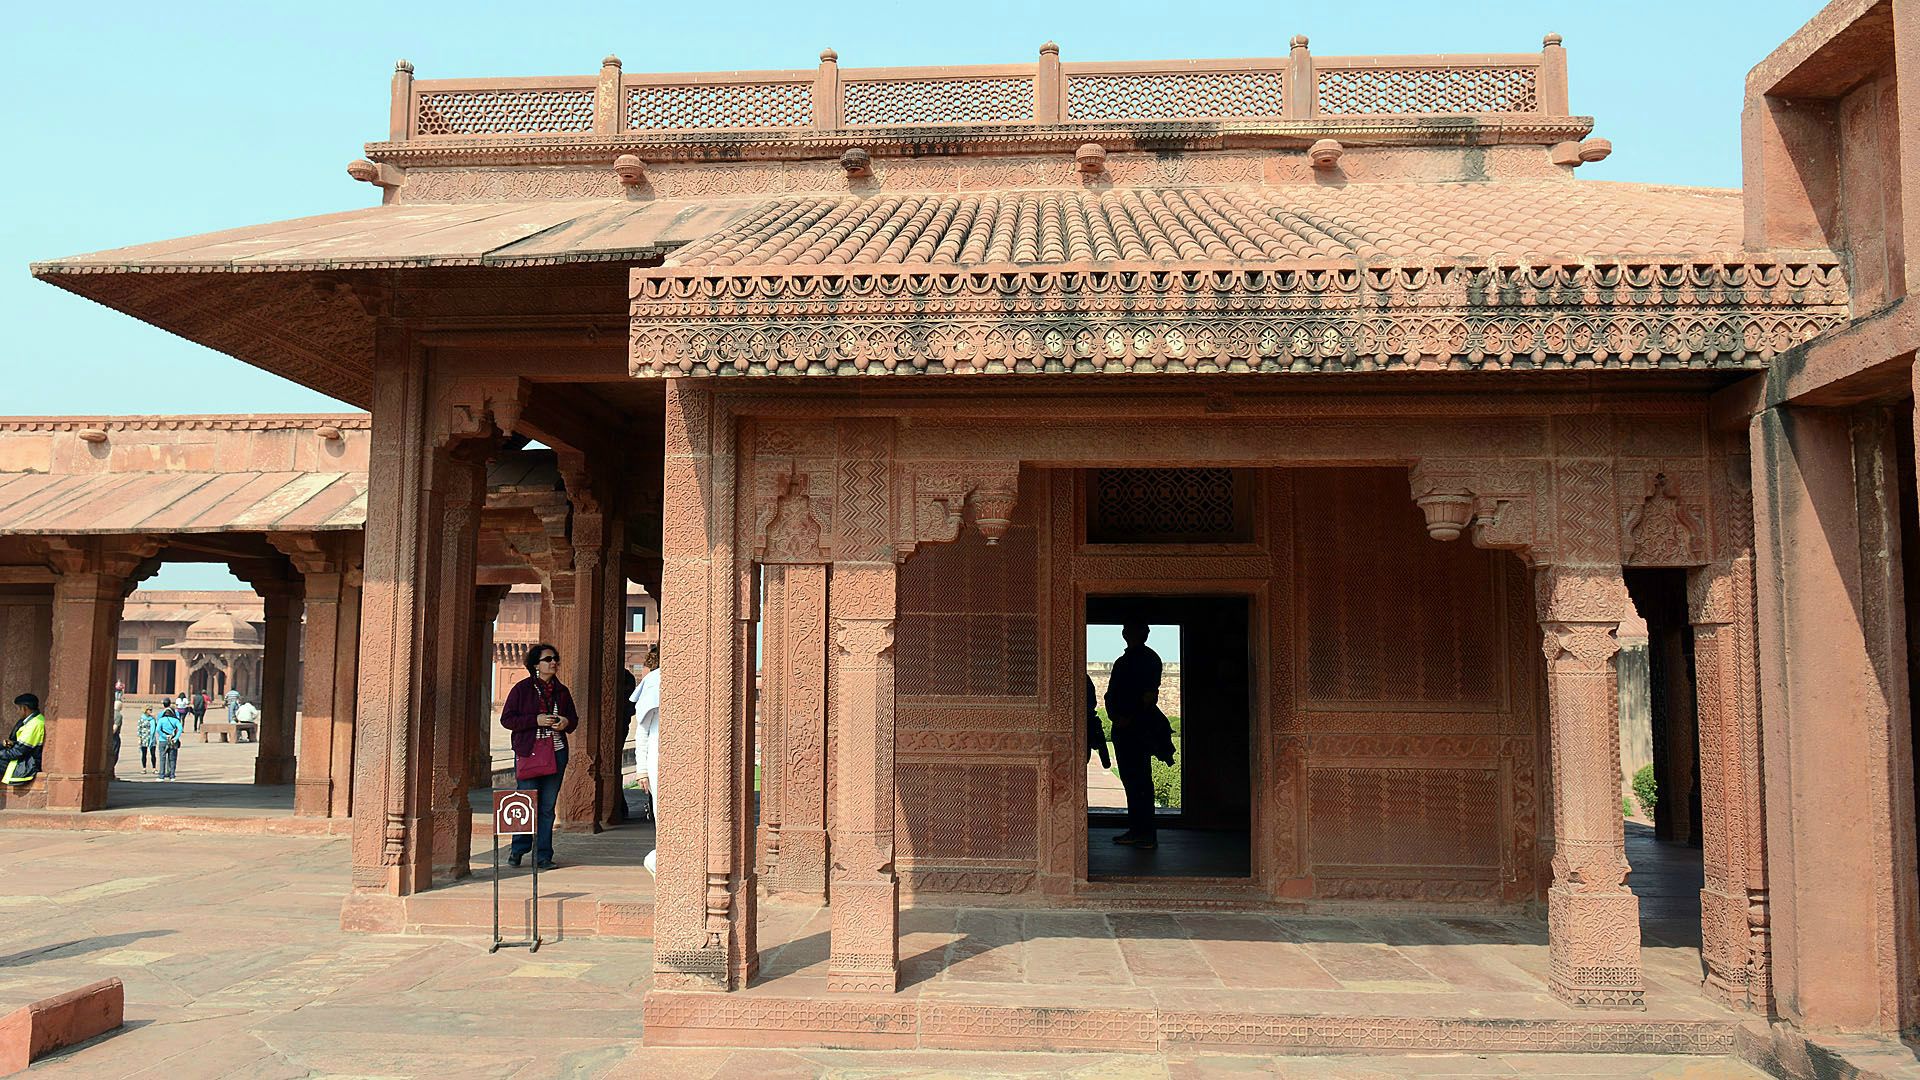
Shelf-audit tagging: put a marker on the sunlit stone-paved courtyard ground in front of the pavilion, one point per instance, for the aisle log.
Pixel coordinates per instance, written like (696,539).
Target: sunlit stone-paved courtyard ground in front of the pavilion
(235,966)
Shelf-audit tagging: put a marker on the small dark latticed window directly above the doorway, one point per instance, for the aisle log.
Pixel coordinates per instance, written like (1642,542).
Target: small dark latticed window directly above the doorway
(1170,506)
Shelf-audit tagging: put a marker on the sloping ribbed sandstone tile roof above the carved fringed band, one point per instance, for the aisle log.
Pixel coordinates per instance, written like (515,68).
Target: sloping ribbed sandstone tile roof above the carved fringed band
(1422,222)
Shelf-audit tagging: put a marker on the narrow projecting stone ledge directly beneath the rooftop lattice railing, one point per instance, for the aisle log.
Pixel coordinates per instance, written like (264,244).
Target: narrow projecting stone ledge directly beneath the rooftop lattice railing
(982,141)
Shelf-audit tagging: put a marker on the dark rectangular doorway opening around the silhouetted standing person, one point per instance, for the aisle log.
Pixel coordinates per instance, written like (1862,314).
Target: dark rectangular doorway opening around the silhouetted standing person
(1205,798)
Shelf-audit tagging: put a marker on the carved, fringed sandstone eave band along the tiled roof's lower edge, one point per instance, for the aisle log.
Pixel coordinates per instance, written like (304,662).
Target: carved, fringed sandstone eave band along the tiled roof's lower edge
(1141,320)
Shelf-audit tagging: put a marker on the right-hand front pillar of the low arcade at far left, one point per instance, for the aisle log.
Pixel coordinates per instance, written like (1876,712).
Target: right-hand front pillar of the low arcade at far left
(329,645)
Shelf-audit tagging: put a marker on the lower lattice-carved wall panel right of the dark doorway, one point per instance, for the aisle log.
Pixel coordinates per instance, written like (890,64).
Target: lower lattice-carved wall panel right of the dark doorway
(1404,818)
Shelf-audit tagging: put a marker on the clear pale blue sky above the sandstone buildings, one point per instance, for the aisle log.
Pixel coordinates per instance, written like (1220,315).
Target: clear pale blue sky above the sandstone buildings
(143,122)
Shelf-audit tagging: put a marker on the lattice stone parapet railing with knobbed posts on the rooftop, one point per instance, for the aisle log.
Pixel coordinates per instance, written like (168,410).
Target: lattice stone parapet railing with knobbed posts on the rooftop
(1049,93)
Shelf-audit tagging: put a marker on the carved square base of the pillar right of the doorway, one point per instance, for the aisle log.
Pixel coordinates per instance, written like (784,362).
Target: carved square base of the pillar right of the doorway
(1595,945)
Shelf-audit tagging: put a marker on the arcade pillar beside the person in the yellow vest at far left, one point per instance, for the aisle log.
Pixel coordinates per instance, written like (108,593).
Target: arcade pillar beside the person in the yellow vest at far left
(87,610)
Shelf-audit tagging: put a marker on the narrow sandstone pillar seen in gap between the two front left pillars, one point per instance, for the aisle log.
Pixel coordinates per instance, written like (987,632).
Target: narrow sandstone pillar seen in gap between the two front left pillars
(796,674)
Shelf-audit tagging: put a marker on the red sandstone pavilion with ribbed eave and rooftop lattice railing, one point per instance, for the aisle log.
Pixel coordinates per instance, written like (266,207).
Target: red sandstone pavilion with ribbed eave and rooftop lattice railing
(892,381)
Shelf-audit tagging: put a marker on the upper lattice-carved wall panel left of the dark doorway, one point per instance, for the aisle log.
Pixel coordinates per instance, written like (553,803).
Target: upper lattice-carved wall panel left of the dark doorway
(969,620)
